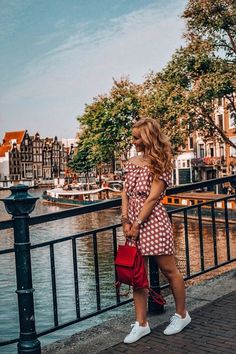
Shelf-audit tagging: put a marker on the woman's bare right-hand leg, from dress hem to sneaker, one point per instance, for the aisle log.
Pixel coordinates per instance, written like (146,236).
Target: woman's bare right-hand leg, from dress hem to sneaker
(168,267)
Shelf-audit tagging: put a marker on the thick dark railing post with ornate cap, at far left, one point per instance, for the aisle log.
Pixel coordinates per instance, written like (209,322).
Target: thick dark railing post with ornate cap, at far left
(20,204)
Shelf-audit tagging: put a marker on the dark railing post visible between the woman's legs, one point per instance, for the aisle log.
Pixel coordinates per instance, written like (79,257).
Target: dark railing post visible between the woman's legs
(154,307)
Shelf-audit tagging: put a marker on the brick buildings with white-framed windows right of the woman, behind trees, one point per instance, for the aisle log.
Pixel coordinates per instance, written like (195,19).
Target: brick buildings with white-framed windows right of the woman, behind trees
(207,158)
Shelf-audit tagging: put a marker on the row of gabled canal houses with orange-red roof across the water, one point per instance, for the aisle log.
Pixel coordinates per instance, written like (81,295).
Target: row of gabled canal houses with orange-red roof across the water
(31,158)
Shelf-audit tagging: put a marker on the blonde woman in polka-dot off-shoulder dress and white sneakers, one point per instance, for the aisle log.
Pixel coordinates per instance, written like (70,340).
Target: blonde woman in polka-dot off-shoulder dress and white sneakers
(145,219)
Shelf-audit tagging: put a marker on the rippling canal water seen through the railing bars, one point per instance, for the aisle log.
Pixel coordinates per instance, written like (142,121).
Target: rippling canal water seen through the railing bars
(9,327)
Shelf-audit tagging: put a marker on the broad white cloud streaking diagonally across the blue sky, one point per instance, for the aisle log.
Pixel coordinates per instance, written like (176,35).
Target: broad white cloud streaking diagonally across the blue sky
(57,85)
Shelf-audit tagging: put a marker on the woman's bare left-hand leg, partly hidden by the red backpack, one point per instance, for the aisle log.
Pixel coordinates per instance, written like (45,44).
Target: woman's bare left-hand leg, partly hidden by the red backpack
(140,302)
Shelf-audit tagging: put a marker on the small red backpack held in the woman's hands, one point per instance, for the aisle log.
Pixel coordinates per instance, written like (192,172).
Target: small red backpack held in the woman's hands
(130,270)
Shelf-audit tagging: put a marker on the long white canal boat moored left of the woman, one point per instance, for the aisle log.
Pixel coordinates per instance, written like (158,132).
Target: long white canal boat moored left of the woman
(80,197)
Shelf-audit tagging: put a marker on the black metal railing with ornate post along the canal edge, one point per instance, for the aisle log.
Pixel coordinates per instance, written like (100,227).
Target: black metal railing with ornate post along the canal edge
(20,204)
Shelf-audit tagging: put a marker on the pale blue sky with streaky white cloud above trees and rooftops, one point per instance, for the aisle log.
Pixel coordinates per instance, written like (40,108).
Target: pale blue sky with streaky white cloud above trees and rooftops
(57,55)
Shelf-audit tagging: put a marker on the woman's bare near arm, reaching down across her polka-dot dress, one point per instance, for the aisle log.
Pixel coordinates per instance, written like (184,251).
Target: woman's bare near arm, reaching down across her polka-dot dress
(156,189)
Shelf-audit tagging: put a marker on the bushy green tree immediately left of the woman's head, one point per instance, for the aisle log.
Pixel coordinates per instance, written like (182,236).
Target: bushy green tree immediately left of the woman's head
(108,120)
